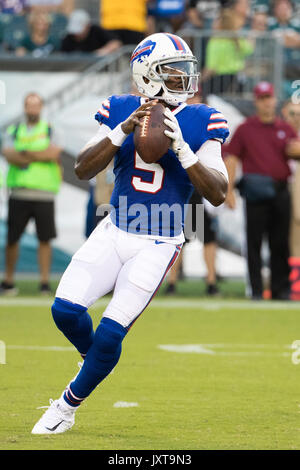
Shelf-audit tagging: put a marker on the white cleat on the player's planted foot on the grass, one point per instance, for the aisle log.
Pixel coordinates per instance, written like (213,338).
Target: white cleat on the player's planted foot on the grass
(55,420)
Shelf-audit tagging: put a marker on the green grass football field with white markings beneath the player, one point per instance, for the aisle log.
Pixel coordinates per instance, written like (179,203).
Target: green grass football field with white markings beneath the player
(233,387)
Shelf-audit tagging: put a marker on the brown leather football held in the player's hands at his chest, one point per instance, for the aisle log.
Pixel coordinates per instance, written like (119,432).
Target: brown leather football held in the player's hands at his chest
(149,139)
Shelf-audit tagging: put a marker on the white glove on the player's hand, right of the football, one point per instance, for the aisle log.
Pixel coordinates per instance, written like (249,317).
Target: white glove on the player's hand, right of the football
(182,149)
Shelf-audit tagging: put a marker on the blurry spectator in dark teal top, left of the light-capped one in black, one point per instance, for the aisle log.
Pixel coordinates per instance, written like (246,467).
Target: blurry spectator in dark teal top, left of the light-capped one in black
(39,42)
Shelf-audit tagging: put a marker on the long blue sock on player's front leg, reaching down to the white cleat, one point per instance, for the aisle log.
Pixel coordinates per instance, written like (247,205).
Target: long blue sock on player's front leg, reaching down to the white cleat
(101,358)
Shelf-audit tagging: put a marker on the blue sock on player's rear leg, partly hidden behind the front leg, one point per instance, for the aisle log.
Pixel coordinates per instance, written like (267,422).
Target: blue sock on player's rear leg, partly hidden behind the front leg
(75,323)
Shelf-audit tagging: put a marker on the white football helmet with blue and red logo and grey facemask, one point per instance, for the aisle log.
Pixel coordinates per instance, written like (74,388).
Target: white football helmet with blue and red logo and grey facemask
(159,59)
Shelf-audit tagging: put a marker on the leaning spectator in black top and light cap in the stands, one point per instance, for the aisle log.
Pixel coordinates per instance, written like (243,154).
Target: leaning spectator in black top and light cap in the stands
(85,37)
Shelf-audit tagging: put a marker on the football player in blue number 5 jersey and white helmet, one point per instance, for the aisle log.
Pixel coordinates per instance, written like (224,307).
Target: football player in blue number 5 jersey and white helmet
(129,258)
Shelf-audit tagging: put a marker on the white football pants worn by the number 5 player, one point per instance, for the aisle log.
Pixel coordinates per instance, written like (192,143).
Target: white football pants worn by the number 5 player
(131,266)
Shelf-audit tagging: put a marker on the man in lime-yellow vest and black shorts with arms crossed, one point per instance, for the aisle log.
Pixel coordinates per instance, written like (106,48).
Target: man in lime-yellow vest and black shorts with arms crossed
(34,177)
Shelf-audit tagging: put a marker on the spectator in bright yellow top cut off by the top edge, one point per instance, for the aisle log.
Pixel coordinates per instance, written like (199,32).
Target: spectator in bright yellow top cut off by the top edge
(125,19)
